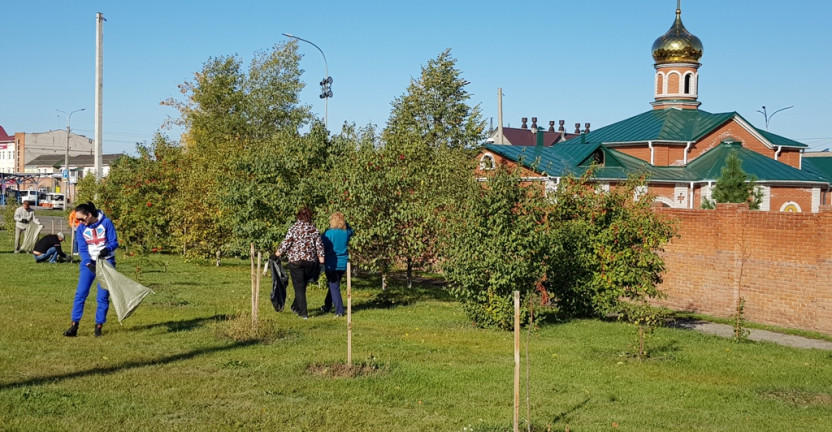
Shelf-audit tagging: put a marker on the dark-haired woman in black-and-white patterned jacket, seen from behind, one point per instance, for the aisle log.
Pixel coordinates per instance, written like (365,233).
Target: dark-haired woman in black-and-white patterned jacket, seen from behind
(305,251)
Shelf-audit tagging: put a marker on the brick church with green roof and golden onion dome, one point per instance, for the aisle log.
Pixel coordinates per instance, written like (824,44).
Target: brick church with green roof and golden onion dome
(682,147)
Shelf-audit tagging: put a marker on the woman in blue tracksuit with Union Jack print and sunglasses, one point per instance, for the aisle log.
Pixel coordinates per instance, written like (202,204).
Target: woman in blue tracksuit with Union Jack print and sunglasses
(96,239)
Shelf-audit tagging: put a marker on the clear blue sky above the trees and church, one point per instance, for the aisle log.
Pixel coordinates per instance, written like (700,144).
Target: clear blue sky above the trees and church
(580,61)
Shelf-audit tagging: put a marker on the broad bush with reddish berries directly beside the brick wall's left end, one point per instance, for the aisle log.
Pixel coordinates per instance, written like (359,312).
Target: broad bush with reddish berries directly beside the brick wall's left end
(617,243)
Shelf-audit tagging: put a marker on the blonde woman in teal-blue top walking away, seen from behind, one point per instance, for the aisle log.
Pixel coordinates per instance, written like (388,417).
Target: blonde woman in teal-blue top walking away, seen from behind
(336,254)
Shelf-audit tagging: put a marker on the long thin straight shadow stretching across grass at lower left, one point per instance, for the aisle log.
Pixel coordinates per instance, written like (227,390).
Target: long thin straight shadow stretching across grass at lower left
(124,366)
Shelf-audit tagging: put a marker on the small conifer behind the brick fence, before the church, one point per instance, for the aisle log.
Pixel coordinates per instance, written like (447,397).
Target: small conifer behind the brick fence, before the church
(735,186)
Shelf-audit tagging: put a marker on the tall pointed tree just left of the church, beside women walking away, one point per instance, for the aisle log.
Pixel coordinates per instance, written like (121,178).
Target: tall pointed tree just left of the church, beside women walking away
(424,162)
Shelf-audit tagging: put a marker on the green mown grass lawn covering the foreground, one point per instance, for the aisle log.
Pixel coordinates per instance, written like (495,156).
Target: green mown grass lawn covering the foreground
(180,364)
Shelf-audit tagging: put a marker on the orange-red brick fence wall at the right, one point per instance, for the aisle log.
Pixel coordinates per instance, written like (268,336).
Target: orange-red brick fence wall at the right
(780,263)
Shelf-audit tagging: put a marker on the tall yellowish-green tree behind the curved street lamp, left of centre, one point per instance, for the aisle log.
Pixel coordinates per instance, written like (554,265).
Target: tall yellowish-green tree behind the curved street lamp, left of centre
(228,114)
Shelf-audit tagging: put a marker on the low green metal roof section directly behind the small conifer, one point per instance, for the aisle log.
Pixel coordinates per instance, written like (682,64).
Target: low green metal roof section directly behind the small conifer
(709,166)
